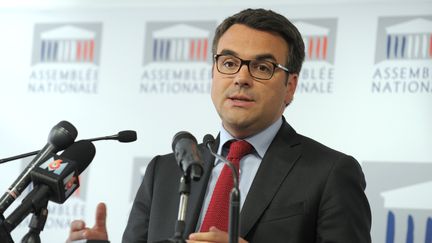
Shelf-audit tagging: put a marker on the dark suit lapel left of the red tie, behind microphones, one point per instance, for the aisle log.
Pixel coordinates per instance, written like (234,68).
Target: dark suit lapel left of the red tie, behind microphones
(198,190)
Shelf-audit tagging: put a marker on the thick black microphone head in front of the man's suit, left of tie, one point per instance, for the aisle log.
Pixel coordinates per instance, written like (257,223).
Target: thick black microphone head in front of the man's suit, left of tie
(188,157)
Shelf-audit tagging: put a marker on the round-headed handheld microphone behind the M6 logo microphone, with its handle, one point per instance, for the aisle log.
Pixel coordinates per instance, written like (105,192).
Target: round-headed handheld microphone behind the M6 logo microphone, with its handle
(60,137)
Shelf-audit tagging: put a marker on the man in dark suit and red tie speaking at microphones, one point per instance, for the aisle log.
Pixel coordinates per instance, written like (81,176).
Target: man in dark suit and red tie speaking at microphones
(294,189)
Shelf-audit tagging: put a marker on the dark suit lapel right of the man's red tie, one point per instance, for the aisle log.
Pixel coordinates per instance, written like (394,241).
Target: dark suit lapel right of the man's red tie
(275,166)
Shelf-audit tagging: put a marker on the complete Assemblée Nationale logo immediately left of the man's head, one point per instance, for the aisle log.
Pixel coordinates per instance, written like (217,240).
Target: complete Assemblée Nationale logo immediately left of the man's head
(177,57)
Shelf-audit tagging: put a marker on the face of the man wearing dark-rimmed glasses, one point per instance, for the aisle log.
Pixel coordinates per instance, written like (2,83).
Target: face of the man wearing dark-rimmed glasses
(247,105)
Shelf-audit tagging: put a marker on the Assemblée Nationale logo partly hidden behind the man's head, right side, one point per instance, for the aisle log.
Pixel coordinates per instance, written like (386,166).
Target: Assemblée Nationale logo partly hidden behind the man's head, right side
(319,36)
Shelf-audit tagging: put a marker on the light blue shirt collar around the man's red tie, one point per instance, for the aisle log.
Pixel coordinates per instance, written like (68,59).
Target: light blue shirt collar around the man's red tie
(260,141)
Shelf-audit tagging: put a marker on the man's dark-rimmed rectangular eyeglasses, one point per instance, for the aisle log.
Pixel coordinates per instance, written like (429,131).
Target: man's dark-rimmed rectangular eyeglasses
(259,69)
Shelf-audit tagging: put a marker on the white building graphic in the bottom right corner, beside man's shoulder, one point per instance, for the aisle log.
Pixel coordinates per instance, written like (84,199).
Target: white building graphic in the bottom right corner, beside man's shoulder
(406,213)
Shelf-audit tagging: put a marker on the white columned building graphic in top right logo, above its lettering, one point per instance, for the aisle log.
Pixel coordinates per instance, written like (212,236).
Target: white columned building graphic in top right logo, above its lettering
(409,40)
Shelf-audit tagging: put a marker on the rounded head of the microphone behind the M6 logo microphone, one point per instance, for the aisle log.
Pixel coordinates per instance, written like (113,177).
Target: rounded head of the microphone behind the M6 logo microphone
(62,135)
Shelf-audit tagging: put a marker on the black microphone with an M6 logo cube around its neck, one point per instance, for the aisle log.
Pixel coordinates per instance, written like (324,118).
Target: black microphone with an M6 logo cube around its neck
(54,179)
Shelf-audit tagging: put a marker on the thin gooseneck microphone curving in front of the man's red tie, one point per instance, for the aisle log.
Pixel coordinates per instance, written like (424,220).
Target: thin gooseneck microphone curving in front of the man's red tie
(234,211)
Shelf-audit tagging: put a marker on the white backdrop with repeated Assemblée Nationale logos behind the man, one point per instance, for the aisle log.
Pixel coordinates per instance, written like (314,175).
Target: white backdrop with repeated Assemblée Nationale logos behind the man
(365,89)
